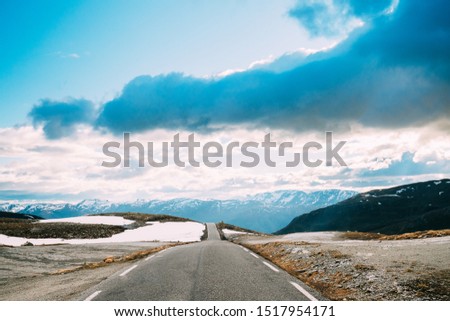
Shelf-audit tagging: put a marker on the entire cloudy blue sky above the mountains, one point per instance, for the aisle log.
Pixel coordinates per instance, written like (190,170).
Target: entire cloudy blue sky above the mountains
(76,74)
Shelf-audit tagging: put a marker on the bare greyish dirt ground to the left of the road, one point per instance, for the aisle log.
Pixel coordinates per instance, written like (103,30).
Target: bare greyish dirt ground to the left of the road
(33,272)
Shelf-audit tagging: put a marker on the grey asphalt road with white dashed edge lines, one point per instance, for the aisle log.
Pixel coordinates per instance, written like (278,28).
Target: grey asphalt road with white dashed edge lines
(208,270)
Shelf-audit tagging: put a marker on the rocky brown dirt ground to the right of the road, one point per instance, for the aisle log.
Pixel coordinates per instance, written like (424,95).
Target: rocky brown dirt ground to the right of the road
(341,269)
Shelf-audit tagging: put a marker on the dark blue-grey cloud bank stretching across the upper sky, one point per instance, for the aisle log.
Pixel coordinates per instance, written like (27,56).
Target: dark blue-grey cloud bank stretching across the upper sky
(392,73)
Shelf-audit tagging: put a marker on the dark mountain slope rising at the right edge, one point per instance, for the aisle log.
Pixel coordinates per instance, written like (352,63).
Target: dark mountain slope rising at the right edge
(401,209)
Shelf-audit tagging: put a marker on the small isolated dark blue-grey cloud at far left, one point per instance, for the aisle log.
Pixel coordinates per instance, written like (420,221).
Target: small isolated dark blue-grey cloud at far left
(59,118)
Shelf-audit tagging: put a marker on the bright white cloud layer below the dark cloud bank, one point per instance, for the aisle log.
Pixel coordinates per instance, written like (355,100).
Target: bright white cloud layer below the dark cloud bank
(72,166)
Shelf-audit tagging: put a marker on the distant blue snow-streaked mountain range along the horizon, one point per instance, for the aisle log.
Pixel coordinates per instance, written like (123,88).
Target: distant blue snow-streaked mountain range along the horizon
(266,212)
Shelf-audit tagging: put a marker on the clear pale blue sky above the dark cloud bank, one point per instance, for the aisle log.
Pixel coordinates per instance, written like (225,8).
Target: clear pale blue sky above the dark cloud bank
(91,49)
